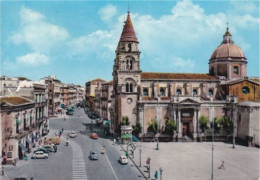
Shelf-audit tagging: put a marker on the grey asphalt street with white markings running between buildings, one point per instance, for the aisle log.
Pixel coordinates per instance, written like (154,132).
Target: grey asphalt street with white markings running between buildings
(72,162)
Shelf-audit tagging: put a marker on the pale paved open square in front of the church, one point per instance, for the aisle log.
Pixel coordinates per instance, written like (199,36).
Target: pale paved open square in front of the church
(184,161)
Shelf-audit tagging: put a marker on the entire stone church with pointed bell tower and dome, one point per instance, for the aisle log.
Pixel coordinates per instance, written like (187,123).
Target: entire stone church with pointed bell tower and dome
(183,97)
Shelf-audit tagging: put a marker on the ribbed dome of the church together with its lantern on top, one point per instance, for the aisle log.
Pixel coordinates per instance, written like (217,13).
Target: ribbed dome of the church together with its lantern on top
(227,48)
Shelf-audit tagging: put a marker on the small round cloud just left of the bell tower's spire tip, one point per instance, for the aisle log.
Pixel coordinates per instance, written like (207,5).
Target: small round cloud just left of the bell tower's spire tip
(108,12)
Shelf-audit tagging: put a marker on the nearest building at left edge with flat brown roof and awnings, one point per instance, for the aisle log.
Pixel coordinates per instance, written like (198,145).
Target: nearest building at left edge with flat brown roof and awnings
(19,130)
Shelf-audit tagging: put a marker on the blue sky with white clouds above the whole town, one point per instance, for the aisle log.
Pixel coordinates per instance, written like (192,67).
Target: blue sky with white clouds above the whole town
(76,40)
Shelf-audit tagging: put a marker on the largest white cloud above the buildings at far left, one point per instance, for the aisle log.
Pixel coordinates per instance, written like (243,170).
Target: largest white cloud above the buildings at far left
(38,34)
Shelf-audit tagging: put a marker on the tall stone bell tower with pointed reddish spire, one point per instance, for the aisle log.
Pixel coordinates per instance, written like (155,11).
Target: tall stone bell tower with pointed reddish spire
(126,75)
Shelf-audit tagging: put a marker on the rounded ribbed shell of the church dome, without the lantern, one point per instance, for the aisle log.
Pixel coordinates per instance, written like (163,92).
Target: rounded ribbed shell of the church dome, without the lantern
(227,50)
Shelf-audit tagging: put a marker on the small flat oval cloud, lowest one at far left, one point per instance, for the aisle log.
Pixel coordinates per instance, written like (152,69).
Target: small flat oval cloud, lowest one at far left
(33,59)
